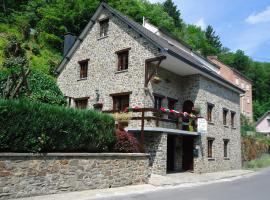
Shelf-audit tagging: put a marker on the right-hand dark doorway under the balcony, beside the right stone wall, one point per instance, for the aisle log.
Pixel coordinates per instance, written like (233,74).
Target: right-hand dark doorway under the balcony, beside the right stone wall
(188,142)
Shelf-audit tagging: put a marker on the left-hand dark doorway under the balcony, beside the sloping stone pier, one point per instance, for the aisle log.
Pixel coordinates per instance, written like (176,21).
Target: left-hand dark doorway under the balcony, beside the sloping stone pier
(170,153)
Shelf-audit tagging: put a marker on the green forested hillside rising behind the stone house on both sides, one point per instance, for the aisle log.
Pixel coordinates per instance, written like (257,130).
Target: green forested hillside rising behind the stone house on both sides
(39,26)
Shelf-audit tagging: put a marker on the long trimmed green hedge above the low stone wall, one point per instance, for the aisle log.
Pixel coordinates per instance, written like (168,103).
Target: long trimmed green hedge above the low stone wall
(35,127)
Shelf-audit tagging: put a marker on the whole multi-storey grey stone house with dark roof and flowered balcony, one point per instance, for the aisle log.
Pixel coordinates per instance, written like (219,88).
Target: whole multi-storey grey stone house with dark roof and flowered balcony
(120,63)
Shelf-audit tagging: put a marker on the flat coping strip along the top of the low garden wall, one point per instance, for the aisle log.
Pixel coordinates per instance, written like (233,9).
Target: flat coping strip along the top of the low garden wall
(74,155)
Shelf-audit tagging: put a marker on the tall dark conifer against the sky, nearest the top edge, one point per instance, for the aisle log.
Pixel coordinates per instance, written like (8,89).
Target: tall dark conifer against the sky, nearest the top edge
(173,12)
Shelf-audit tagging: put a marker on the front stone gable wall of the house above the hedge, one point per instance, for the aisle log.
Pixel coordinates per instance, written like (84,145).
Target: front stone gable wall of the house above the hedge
(102,69)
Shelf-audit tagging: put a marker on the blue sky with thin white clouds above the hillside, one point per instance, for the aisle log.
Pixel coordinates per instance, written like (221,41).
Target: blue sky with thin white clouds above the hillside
(241,24)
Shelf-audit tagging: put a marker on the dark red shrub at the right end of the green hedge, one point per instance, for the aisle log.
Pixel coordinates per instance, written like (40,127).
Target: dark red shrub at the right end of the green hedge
(126,143)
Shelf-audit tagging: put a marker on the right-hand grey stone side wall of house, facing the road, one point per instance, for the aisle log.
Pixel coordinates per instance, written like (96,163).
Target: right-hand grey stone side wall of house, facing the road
(221,97)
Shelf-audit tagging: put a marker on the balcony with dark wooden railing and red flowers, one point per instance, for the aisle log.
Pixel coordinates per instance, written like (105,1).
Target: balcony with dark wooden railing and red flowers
(156,119)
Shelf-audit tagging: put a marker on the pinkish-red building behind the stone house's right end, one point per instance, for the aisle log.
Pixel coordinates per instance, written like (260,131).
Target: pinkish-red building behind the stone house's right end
(240,80)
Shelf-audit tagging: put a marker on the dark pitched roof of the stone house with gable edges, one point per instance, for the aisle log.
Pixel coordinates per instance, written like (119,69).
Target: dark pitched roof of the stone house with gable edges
(157,41)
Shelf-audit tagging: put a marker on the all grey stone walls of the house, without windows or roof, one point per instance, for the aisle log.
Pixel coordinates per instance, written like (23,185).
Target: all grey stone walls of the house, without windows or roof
(103,76)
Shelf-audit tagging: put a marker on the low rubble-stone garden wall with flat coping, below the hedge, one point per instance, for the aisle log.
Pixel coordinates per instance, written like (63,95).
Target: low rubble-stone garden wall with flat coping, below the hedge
(26,174)
